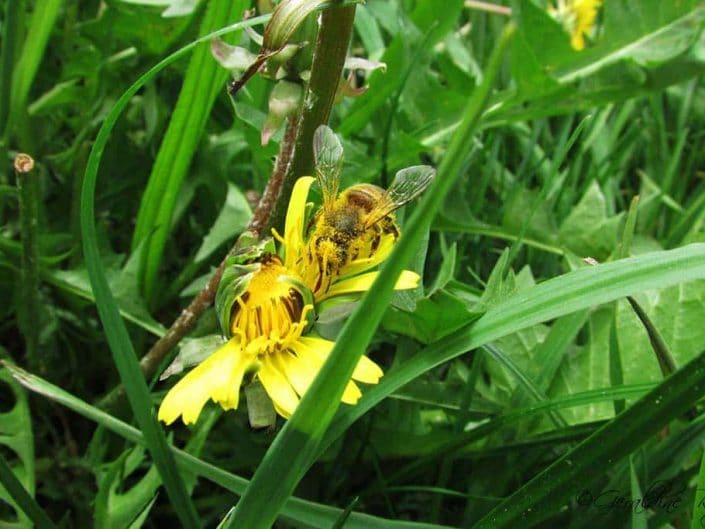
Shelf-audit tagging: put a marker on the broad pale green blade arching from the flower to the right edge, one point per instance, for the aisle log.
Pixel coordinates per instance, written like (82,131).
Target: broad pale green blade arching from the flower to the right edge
(577,290)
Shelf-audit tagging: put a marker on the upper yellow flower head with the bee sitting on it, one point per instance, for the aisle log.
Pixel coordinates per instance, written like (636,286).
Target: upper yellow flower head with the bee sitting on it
(310,260)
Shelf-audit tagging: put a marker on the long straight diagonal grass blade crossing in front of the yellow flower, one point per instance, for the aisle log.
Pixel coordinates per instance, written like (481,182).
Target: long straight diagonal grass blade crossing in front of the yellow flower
(287,459)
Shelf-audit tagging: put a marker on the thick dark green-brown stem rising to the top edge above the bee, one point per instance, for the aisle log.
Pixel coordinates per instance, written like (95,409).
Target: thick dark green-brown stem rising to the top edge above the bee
(326,70)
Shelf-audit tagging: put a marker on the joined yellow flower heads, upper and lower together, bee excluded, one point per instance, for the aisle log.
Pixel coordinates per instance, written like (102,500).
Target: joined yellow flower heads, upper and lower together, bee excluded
(268,326)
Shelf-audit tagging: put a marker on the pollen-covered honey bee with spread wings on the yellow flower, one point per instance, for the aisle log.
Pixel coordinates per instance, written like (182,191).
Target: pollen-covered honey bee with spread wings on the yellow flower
(355,224)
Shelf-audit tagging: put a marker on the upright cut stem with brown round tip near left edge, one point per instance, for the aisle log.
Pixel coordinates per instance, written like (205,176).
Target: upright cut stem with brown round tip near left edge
(29,215)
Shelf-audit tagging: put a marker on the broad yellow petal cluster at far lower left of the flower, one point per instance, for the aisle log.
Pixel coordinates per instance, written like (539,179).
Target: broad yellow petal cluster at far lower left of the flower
(218,377)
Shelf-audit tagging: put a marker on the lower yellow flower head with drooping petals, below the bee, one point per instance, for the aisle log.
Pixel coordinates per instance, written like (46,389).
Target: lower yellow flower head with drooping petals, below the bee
(267,328)
